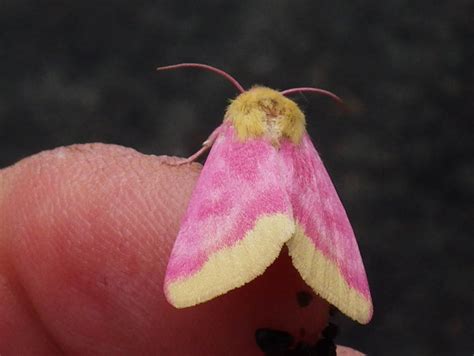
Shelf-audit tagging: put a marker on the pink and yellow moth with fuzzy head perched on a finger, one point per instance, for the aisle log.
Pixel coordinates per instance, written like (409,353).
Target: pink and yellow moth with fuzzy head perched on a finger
(263,186)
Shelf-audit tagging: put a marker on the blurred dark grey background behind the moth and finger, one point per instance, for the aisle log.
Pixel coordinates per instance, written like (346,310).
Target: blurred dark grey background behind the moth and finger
(83,71)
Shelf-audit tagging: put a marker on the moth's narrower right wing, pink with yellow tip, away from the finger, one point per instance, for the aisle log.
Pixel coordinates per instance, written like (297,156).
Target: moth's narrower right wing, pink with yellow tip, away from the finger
(324,249)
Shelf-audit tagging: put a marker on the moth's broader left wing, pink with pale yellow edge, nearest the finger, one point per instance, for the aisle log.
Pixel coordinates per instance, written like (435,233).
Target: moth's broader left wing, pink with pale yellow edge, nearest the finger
(237,221)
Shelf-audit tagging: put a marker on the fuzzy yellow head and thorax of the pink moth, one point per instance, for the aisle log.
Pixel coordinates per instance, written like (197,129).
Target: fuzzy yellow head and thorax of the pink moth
(264,112)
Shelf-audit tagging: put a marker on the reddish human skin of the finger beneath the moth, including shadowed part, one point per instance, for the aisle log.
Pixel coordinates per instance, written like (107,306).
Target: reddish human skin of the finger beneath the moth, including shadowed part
(85,233)
